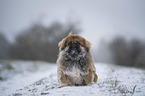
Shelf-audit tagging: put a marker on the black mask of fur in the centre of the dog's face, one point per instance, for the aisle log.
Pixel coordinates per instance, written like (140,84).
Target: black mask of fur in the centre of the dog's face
(74,47)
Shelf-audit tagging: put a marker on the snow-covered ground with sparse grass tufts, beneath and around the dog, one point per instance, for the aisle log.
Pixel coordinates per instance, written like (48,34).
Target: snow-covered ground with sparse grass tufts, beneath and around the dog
(35,78)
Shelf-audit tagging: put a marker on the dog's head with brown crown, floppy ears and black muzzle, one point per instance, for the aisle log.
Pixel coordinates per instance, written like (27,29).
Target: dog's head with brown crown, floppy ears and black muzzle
(74,44)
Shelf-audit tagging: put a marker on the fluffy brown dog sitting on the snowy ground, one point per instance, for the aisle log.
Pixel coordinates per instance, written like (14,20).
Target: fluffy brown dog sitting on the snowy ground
(75,61)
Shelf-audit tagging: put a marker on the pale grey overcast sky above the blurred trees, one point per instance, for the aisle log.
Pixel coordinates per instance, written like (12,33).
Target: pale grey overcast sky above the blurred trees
(102,19)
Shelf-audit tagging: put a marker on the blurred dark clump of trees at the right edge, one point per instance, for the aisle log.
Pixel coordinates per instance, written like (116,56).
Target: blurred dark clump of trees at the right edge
(129,53)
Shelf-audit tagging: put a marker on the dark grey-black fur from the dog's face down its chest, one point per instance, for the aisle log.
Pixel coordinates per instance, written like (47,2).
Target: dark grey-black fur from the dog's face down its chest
(75,57)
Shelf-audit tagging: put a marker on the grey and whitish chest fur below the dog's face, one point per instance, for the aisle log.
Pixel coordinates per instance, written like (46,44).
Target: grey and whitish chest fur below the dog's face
(75,66)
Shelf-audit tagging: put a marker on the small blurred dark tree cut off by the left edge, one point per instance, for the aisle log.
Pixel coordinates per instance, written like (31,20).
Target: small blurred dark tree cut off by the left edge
(4,47)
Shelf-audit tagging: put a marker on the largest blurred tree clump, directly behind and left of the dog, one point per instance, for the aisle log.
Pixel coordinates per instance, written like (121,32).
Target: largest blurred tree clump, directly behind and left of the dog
(39,42)
